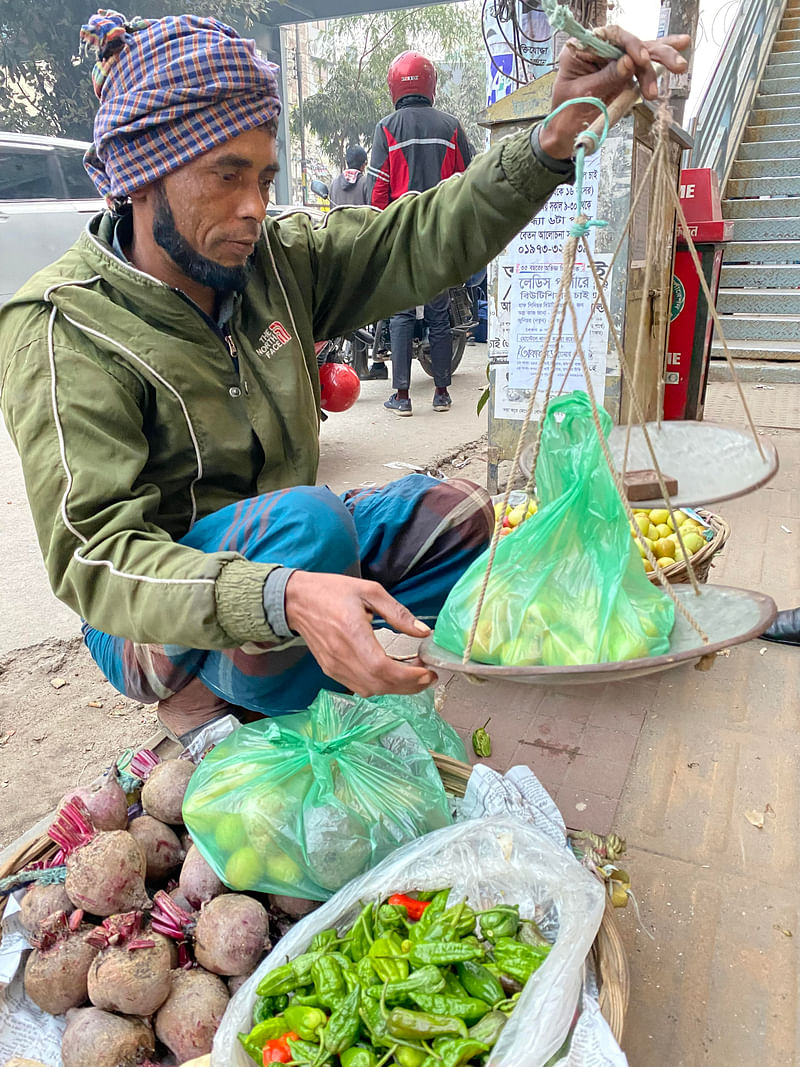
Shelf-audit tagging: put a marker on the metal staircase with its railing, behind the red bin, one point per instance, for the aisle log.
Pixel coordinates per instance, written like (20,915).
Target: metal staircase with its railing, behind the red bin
(755,103)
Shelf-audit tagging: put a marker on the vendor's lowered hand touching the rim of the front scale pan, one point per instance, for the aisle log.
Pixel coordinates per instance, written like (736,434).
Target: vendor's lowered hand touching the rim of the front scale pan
(334,613)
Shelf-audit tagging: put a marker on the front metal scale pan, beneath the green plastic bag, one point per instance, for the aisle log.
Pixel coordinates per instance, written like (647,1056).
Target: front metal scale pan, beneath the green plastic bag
(728,616)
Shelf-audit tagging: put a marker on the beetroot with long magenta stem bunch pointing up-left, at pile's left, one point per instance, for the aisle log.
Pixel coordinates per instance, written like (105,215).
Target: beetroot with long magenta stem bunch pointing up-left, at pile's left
(105,871)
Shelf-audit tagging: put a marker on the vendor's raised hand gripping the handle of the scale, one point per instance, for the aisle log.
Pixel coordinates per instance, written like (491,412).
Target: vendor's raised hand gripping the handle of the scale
(584,73)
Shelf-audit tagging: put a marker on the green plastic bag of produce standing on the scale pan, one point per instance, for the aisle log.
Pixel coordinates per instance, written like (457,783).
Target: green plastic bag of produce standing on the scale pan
(568,586)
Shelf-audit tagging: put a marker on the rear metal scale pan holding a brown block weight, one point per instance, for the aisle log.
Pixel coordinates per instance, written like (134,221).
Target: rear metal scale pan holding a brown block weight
(711,463)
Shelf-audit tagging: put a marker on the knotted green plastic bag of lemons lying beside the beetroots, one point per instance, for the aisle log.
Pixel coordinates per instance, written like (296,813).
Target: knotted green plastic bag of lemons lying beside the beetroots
(300,805)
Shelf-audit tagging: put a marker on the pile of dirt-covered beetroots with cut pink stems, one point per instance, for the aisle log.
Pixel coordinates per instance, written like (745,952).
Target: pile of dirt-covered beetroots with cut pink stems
(142,946)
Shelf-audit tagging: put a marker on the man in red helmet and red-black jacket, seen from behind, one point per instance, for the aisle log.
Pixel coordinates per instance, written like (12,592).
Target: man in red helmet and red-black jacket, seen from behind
(414,149)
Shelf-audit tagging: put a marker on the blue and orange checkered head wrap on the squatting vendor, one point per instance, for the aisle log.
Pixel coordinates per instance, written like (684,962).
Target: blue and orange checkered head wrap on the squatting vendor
(170,90)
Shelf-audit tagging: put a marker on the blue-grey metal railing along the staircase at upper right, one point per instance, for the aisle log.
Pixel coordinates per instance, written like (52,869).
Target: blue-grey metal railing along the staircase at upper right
(731,90)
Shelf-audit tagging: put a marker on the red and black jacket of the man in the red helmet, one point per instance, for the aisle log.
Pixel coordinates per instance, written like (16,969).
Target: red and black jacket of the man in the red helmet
(414,149)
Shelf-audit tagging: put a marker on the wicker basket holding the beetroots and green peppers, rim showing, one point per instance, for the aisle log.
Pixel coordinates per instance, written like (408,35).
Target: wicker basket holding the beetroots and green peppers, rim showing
(609,951)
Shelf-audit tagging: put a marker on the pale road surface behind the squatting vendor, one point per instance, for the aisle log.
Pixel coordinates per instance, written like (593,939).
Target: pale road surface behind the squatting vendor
(356,447)
